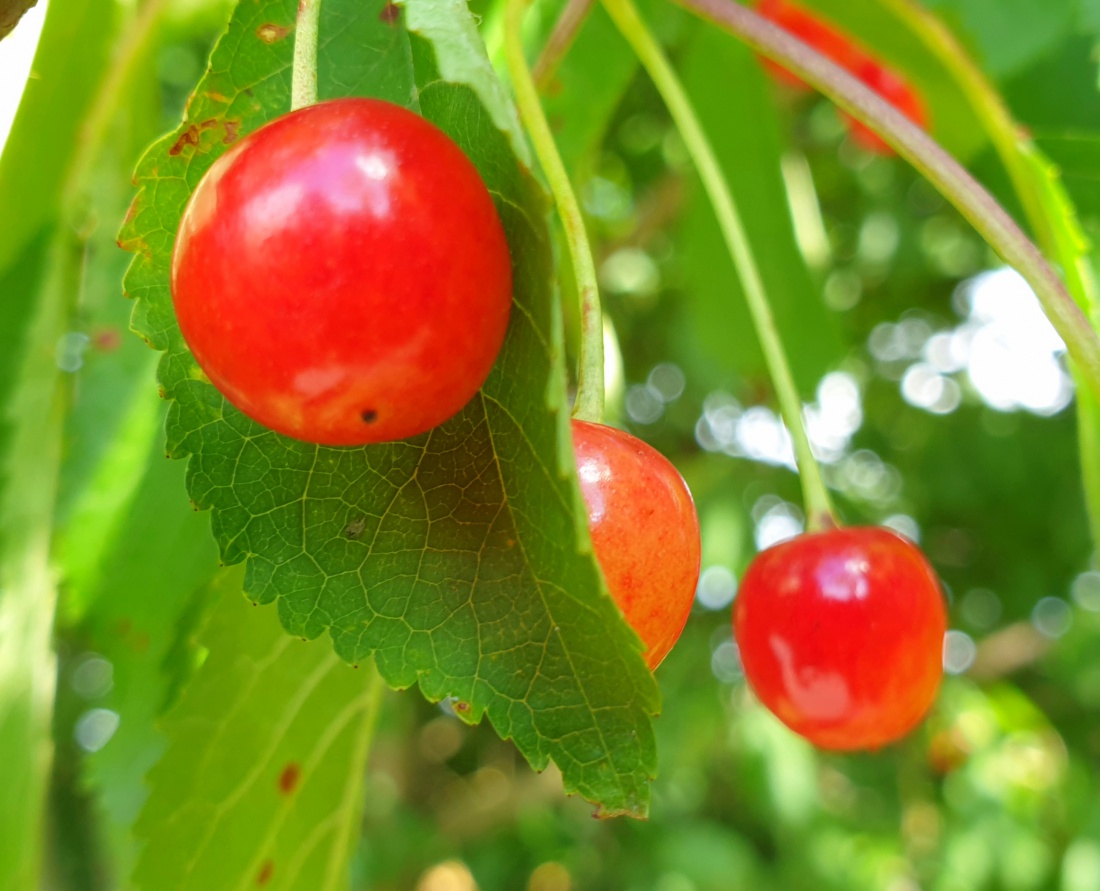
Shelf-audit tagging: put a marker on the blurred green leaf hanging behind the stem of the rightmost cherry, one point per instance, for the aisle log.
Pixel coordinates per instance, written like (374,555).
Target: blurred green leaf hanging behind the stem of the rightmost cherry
(719,326)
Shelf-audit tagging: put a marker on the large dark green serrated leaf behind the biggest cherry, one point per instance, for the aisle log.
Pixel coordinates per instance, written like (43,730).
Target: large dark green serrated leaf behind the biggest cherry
(460,558)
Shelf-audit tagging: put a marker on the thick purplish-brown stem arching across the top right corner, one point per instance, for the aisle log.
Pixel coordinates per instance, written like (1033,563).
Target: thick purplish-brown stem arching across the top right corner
(992,222)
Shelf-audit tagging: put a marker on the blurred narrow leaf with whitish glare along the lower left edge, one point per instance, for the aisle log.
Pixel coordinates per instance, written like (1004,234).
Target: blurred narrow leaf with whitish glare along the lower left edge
(29,468)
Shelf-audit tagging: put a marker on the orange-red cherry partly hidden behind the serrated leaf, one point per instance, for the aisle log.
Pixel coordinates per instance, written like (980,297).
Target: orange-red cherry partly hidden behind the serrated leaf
(645,532)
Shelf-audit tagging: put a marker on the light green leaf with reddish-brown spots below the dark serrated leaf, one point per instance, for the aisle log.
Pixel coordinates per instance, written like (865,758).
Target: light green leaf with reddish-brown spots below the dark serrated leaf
(262,782)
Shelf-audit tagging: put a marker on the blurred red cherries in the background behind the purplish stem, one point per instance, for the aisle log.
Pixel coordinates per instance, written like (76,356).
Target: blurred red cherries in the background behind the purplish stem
(845,52)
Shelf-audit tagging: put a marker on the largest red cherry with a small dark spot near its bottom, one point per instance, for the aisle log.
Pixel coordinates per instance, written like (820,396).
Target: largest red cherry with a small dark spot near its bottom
(342,274)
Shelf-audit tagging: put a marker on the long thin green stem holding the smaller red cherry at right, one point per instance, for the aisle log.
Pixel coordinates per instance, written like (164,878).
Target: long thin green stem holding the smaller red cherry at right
(820,514)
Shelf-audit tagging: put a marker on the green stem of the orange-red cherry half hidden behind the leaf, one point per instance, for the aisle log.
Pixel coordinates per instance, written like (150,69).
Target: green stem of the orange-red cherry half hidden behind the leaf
(590,379)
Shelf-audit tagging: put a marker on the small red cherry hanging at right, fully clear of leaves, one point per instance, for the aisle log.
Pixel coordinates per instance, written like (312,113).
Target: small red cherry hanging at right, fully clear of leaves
(842,635)
